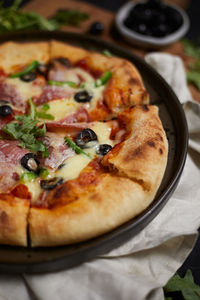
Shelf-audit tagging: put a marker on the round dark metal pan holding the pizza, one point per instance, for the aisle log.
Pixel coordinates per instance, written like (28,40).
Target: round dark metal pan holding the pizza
(19,259)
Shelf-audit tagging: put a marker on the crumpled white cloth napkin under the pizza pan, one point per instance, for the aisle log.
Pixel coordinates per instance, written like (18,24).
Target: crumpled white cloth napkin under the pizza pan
(140,268)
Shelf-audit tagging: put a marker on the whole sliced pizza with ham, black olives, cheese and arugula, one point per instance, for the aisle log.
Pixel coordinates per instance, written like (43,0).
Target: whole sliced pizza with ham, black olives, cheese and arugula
(81,150)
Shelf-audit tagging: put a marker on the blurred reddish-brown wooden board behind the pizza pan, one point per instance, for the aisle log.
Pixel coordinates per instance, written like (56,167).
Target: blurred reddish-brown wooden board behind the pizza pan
(49,7)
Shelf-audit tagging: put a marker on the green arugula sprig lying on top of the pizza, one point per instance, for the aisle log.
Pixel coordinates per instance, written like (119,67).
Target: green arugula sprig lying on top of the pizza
(25,130)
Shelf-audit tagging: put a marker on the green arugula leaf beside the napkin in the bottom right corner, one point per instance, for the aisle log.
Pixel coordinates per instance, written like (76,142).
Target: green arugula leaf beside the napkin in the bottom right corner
(186,286)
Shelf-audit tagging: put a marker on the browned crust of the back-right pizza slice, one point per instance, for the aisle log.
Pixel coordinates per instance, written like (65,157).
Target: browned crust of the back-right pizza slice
(125,88)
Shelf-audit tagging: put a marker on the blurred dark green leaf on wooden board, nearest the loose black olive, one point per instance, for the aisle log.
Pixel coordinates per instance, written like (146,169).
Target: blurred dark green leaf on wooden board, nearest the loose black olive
(69,17)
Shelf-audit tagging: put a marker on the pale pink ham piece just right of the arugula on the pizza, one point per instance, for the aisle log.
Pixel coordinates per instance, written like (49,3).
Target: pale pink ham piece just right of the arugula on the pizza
(58,150)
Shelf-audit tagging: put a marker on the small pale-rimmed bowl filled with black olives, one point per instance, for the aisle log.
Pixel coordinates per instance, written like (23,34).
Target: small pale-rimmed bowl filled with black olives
(152,24)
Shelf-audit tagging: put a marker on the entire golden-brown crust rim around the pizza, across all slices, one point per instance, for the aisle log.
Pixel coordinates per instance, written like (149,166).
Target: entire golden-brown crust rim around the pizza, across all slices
(136,166)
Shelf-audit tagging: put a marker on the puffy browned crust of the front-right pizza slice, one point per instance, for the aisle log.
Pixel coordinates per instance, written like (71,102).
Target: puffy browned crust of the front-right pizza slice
(136,171)
